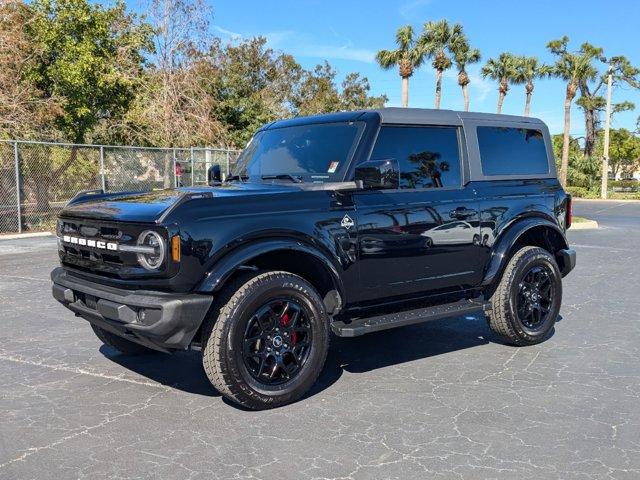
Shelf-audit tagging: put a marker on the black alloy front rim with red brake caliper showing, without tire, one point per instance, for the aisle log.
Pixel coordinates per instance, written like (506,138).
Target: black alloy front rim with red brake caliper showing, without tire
(277,341)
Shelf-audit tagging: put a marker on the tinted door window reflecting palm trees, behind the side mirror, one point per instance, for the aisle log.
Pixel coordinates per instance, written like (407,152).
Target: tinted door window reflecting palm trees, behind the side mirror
(428,156)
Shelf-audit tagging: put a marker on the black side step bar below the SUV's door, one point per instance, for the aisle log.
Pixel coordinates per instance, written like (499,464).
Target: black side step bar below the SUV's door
(360,326)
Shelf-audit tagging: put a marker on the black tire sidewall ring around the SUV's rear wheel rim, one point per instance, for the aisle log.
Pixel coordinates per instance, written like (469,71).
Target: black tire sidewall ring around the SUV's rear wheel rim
(525,263)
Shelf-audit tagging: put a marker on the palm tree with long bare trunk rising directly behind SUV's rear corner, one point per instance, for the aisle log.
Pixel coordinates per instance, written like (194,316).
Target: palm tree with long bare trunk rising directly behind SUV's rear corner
(575,69)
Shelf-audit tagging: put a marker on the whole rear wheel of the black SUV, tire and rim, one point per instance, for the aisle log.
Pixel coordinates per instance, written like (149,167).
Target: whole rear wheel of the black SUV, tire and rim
(525,305)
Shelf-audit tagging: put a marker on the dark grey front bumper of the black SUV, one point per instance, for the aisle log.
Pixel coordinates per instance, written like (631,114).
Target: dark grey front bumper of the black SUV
(159,320)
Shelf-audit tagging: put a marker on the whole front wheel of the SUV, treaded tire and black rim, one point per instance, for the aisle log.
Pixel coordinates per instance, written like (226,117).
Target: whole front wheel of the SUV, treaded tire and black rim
(266,340)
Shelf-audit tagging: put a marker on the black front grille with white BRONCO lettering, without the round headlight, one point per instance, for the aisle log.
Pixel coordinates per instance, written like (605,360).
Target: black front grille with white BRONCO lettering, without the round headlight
(89,258)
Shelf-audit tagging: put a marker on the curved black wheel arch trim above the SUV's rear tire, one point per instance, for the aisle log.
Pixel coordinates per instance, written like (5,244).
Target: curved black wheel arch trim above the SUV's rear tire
(534,231)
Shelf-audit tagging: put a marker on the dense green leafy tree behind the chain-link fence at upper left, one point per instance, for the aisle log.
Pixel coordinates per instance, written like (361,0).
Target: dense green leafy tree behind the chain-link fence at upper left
(90,58)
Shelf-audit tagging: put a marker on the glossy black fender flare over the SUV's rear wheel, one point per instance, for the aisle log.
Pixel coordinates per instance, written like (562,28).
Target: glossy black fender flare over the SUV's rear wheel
(510,236)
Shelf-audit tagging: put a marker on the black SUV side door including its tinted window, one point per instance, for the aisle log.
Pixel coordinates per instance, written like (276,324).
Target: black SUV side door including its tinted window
(424,235)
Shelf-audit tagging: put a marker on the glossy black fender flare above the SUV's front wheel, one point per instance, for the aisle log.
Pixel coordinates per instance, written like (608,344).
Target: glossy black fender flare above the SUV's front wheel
(220,272)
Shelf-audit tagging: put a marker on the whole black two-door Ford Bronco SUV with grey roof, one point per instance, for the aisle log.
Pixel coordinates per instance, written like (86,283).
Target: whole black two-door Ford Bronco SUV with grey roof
(348,222)
